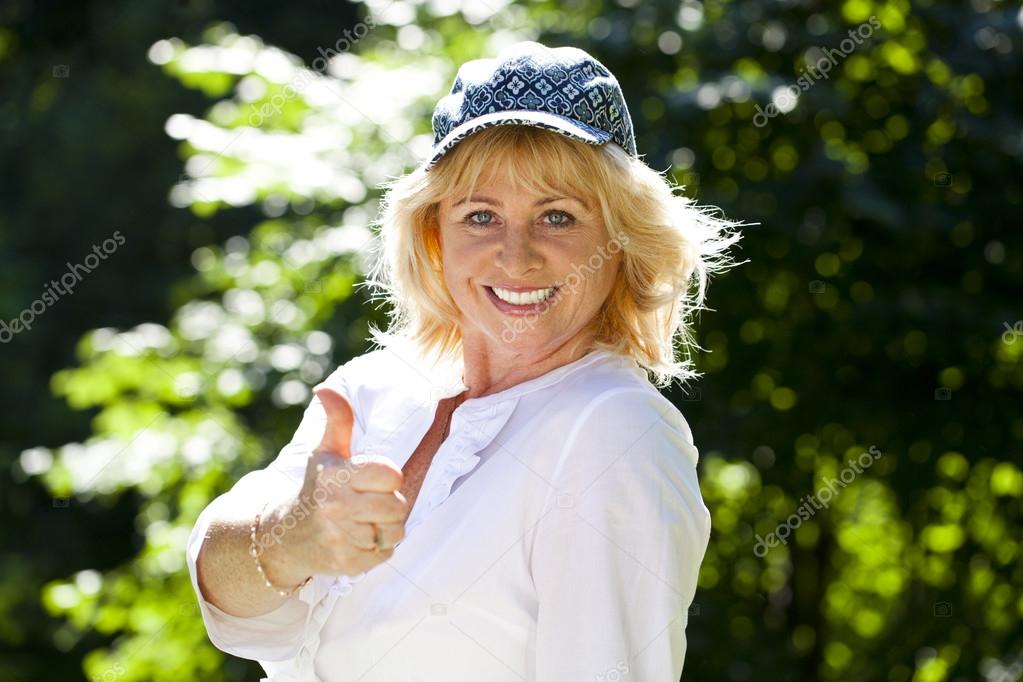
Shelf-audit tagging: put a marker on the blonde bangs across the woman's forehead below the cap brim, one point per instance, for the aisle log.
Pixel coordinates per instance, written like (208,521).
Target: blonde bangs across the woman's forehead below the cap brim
(531,160)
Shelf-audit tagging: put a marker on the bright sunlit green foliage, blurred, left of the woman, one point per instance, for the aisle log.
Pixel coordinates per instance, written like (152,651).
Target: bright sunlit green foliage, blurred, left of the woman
(169,400)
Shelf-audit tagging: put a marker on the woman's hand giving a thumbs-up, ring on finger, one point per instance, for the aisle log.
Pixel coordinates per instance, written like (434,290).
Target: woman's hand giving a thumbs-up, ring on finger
(349,514)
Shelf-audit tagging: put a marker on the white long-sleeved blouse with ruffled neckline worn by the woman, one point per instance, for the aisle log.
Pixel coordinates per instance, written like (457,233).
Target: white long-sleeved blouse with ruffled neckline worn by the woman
(557,538)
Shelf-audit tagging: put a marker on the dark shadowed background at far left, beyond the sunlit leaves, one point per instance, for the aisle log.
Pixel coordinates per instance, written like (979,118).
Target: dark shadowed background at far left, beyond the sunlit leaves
(84,156)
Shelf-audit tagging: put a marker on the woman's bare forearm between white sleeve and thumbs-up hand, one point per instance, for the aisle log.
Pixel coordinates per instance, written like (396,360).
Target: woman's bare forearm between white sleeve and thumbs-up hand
(228,575)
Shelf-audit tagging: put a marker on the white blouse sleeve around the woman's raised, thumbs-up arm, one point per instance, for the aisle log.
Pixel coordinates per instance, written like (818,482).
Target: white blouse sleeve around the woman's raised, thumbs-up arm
(279,634)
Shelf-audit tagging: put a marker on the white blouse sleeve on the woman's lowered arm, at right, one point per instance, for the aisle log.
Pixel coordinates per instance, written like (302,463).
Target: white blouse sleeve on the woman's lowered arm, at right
(617,555)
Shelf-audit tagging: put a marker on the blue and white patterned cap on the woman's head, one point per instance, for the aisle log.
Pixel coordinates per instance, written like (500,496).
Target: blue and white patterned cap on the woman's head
(563,89)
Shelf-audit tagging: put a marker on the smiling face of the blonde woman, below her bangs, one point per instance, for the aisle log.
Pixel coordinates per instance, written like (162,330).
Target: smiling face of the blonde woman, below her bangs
(505,251)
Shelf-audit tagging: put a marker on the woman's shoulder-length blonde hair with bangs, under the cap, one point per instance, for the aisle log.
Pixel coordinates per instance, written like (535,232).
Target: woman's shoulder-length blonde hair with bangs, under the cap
(671,247)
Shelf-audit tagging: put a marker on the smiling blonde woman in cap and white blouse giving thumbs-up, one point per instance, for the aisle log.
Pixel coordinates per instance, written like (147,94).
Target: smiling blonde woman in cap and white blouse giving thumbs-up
(524,505)
